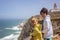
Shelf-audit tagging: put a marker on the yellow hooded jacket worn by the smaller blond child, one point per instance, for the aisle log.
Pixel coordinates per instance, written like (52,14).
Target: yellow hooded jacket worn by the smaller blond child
(37,34)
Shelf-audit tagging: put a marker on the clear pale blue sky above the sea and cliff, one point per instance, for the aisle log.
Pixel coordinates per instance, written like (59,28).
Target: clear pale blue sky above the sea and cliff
(10,9)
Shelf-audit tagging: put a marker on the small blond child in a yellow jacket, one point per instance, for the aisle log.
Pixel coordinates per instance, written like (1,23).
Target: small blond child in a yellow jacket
(37,33)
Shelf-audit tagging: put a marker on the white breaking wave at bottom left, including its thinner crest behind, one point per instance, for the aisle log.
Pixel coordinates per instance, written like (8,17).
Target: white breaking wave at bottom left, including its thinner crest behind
(11,36)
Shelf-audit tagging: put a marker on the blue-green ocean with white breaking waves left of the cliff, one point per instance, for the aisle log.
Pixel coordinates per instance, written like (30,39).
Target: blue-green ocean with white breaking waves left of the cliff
(9,29)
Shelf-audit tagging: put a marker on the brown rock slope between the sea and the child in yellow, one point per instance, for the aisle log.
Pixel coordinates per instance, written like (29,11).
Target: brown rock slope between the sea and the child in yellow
(26,30)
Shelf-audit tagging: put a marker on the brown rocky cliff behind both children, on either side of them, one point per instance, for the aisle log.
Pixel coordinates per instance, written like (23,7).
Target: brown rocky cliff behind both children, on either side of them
(28,27)
